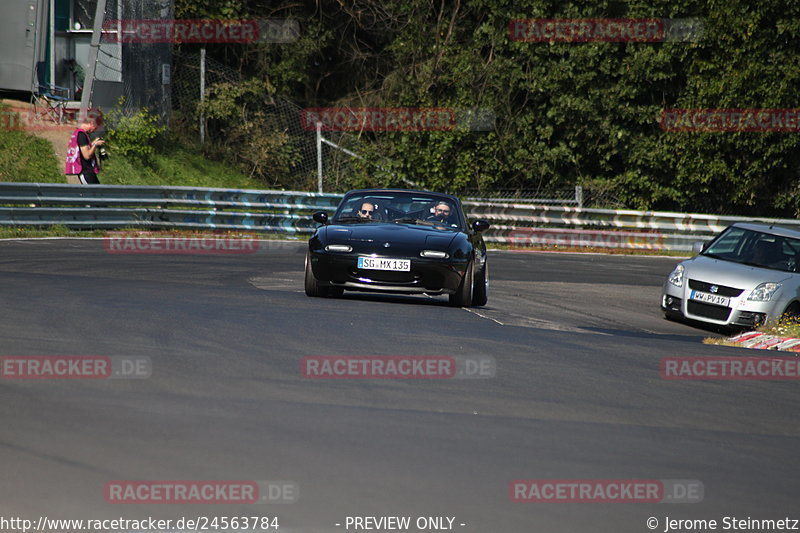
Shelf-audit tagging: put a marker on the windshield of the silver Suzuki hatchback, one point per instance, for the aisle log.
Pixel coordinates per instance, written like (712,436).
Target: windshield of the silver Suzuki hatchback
(755,248)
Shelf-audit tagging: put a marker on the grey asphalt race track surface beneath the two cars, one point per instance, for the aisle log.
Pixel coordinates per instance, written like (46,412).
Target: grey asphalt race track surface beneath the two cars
(577,394)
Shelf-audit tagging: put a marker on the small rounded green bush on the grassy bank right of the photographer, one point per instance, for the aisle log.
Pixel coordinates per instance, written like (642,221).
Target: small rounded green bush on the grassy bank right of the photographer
(133,135)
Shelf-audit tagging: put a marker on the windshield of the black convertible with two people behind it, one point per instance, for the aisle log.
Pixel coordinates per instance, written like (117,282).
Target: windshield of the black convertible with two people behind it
(400,207)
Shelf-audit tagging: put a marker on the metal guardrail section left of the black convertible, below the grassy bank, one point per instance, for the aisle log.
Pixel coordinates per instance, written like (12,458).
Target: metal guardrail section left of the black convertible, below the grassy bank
(116,206)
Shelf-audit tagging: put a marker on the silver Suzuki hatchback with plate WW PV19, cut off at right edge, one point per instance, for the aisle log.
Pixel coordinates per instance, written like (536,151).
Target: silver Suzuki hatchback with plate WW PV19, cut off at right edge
(746,276)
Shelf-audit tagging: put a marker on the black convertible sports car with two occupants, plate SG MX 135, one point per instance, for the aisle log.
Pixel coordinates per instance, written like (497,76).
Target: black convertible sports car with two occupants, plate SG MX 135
(396,240)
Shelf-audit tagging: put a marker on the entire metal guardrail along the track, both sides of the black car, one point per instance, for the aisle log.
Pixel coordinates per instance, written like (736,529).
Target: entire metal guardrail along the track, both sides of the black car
(516,224)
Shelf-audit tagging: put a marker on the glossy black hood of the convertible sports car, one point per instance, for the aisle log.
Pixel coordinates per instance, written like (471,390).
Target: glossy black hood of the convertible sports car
(393,233)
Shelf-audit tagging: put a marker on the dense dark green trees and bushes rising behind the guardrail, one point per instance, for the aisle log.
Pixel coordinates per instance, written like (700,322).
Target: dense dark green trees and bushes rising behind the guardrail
(567,113)
